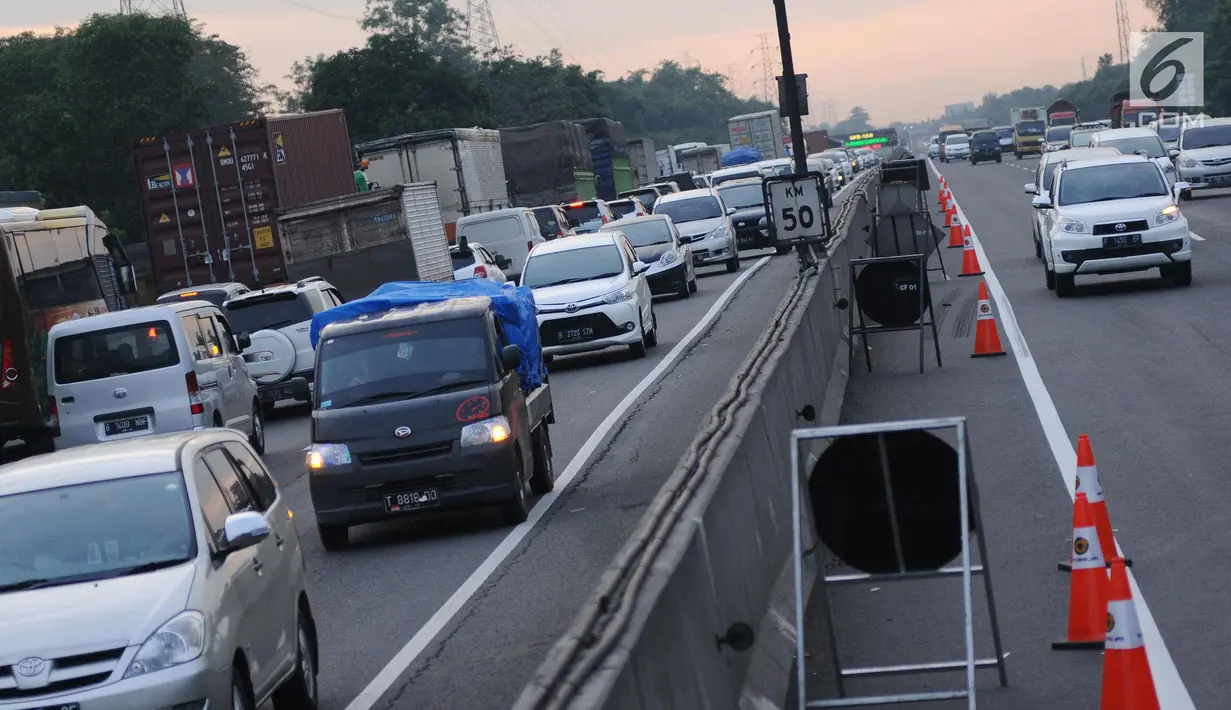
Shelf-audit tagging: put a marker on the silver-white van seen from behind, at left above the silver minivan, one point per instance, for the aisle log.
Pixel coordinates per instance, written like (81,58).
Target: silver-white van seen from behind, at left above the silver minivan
(146,371)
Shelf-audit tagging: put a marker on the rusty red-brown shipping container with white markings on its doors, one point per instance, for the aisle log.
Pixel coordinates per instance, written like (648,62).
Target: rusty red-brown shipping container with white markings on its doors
(211,196)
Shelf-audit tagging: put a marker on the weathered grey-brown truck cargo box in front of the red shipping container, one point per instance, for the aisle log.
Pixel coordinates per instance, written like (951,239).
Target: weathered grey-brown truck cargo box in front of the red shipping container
(364,241)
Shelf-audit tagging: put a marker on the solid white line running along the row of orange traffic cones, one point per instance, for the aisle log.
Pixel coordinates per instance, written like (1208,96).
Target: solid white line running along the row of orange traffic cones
(1173,693)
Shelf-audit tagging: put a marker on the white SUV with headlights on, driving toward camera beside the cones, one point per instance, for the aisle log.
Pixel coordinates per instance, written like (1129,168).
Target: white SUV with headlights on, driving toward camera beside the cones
(1112,216)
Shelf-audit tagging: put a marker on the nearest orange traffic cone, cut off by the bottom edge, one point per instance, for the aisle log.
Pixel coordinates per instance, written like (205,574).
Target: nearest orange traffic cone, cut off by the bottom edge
(1127,680)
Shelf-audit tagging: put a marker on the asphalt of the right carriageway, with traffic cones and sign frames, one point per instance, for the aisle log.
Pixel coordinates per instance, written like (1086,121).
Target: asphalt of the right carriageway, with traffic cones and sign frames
(1134,362)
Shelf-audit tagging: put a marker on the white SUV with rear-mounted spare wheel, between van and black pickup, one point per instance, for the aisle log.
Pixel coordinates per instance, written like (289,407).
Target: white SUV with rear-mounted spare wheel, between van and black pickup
(279,321)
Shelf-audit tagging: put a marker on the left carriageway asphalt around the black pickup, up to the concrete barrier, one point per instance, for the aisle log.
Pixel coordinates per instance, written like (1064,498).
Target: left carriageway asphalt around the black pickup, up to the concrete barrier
(456,611)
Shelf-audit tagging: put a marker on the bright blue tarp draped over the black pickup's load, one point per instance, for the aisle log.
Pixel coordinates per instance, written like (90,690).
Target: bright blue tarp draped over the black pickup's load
(513,306)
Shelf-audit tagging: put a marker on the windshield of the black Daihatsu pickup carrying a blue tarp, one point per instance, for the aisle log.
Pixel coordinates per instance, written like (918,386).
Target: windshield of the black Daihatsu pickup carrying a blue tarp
(403,362)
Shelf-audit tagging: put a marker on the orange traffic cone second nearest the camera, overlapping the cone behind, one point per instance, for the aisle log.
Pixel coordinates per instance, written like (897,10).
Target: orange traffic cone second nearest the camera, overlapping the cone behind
(1088,588)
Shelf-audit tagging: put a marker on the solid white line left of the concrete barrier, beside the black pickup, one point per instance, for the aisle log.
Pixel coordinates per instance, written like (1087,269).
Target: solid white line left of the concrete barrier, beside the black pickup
(419,643)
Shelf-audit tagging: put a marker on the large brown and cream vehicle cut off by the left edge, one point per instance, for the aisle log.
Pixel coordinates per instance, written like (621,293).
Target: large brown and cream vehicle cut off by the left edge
(56,265)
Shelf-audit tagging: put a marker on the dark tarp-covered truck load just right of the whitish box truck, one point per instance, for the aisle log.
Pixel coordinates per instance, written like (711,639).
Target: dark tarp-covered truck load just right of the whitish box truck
(548,164)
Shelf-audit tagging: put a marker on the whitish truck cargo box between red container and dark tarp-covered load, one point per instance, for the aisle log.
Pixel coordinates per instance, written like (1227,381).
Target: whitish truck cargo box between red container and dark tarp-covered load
(466,164)
